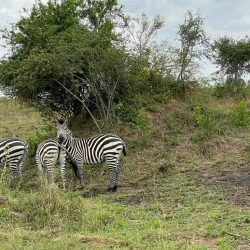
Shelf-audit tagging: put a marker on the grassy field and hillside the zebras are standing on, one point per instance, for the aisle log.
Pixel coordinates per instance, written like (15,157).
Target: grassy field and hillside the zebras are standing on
(185,184)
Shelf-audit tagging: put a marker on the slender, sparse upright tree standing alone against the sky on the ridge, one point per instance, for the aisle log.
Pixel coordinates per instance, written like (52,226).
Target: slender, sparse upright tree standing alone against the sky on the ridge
(193,45)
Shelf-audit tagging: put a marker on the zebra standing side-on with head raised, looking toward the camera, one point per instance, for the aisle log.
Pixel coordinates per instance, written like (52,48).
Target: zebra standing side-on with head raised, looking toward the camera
(93,150)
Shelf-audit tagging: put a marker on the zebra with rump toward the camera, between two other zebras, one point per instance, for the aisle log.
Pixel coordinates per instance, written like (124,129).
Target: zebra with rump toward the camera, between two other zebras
(48,153)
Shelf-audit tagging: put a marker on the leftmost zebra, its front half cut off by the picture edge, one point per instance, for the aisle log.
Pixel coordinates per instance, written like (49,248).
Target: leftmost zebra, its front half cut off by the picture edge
(12,153)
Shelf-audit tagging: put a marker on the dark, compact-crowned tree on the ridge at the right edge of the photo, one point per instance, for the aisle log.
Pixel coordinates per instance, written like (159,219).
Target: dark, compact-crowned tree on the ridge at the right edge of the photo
(233,57)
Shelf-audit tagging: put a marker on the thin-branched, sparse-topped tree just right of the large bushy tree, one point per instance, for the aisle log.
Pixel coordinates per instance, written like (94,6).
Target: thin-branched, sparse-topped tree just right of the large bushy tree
(148,54)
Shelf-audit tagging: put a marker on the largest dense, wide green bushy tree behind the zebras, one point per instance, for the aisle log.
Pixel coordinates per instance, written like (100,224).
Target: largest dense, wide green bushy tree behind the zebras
(63,41)
